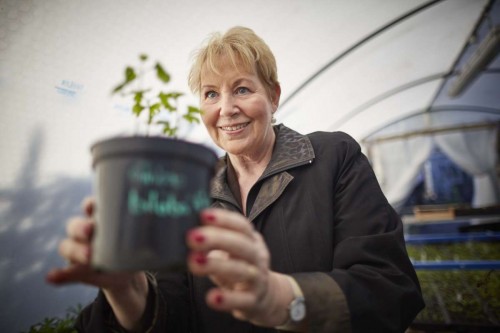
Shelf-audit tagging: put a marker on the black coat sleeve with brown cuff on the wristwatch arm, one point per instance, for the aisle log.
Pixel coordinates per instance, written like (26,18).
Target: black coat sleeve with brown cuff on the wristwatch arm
(373,286)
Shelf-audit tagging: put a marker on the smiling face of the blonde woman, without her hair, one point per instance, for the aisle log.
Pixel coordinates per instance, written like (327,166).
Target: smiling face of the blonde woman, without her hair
(237,110)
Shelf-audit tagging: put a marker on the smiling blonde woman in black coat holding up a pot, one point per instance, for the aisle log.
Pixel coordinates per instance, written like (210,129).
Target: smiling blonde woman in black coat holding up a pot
(299,237)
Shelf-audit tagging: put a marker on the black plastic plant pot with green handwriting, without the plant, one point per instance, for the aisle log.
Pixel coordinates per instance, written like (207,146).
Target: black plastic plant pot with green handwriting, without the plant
(149,192)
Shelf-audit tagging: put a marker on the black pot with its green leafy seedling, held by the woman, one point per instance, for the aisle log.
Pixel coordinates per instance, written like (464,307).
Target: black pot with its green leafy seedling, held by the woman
(149,189)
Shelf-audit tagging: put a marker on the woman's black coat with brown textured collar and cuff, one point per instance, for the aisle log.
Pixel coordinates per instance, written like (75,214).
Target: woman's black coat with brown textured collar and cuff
(326,222)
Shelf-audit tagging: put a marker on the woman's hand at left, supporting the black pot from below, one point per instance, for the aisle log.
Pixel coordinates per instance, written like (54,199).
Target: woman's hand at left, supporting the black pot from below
(126,292)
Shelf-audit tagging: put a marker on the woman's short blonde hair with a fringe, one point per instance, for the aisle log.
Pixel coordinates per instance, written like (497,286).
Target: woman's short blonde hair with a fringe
(241,46)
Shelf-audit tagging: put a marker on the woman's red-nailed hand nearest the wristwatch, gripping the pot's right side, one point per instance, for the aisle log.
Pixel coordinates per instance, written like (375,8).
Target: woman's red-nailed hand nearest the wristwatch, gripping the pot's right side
(229,251)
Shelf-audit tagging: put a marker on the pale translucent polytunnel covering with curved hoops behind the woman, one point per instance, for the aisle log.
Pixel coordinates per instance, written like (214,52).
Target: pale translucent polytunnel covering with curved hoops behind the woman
(407,79)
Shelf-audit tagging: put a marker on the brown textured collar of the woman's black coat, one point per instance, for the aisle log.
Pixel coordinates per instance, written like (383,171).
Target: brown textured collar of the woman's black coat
(291,149)
